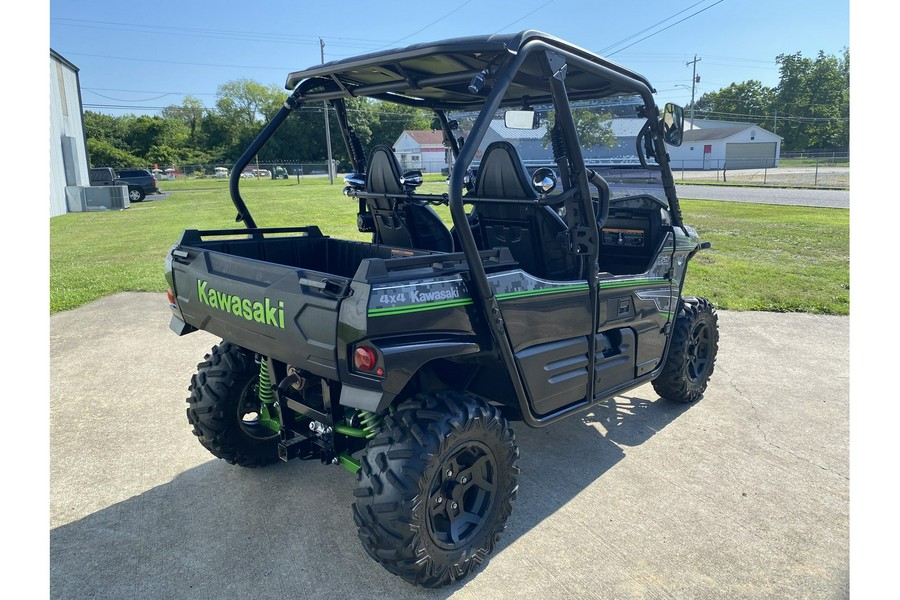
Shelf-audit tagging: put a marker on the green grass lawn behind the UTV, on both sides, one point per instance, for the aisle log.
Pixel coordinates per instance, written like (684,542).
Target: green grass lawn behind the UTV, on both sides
(763,257)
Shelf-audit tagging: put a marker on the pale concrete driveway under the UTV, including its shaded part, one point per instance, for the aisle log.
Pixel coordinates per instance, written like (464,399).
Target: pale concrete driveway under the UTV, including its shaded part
(743,495)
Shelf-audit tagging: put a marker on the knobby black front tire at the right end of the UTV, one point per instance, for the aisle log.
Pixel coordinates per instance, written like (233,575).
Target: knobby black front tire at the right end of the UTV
(692,354)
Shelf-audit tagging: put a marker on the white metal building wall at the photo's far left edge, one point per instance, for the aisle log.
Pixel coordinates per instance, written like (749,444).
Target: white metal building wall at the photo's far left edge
(68,153)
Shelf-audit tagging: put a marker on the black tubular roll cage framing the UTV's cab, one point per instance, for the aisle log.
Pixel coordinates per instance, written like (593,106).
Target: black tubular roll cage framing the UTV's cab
(324,84)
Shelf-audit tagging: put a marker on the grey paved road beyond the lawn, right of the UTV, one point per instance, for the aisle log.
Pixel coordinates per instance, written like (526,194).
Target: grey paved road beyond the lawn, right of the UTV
(795,197)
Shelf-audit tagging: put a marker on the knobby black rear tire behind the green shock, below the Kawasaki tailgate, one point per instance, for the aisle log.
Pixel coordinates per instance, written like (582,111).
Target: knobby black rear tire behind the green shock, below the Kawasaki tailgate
(222,404)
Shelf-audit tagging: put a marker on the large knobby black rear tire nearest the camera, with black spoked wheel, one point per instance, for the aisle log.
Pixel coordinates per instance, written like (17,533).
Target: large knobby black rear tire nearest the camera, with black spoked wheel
(436,488)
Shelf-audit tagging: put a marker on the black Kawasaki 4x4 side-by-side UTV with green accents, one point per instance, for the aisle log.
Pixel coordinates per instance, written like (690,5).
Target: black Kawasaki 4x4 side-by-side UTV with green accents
(556,286)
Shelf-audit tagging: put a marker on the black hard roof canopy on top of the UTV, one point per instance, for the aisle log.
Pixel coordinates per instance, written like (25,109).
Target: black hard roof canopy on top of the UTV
(458,74)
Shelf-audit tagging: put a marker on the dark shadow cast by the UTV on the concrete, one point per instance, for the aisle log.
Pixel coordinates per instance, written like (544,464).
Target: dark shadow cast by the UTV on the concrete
(286,531)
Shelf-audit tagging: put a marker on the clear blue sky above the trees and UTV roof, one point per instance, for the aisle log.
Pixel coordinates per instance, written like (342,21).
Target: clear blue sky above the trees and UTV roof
(138,57)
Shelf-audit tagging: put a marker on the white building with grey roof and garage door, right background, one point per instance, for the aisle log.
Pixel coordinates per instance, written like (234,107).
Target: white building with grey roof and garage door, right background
(726,145)
